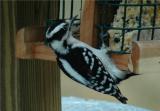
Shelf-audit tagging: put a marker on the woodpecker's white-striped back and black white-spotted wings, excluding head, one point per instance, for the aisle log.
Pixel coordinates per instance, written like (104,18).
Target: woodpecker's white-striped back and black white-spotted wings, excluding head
(81,65)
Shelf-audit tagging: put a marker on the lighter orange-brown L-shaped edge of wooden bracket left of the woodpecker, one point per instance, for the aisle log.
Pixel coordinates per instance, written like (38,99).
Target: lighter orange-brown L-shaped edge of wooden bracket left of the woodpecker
(32,50)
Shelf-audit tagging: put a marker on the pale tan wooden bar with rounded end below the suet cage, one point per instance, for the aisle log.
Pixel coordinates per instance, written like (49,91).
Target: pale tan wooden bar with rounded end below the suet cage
(144,49)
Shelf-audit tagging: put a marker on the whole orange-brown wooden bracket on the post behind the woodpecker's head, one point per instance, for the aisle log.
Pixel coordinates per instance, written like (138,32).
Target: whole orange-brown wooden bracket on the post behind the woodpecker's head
(29,44)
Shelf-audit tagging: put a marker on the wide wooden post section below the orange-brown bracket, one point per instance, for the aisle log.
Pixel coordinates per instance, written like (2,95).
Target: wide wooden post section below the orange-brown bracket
(39,89)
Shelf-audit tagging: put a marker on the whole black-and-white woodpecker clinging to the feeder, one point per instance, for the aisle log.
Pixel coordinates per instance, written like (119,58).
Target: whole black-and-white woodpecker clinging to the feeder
(89,66)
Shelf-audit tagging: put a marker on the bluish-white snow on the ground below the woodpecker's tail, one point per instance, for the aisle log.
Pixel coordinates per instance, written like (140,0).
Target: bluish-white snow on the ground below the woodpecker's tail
(79,104)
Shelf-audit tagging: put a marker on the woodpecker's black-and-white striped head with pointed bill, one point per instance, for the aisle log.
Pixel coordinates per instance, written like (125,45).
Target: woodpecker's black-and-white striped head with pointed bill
(58,31)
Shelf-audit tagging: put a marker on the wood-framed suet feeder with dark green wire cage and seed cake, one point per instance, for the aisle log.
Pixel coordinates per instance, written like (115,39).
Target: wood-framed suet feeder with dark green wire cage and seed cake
(117,17)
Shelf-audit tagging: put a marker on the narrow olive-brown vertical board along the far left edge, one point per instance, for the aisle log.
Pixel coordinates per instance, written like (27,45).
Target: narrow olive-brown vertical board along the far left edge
(7,80)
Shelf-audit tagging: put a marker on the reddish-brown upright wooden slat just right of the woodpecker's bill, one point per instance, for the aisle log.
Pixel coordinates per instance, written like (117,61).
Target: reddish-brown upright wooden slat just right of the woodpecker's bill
(88,21)
